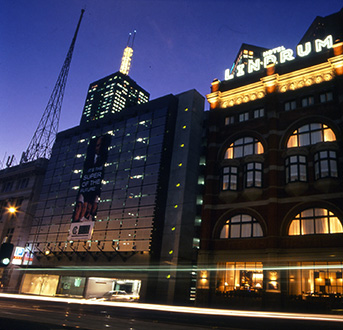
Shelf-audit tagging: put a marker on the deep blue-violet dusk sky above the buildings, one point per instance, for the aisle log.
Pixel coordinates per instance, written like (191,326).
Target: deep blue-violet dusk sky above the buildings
(180,45)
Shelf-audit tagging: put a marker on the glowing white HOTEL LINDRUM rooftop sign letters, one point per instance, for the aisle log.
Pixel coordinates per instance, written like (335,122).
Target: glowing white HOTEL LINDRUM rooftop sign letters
(279,55)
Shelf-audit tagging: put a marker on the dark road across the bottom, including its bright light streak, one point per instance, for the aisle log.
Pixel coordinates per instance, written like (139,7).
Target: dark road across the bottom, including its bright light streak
(39,313)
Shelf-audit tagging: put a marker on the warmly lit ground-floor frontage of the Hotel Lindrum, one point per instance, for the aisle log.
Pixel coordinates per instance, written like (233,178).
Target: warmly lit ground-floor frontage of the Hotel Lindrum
(292,286)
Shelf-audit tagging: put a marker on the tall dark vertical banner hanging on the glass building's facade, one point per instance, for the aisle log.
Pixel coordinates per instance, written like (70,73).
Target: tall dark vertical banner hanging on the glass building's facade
(90,188)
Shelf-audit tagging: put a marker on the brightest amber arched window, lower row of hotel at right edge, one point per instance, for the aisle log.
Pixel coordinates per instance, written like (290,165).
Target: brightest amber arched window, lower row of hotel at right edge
(315,221)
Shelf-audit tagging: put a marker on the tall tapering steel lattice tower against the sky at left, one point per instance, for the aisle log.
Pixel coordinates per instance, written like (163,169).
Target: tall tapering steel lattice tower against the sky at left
(44,136)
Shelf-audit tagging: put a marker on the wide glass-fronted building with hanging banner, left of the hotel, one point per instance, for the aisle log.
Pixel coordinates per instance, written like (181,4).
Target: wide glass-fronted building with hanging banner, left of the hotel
(120,204)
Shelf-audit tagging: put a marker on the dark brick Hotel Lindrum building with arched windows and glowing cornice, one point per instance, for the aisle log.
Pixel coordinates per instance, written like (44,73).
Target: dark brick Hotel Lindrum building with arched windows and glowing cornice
(272,222)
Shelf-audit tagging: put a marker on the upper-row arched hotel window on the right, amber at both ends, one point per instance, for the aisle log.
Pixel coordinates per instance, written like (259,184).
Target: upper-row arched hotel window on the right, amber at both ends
(311,134)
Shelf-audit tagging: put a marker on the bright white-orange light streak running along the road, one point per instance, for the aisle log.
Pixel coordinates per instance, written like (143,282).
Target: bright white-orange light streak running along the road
(186,310)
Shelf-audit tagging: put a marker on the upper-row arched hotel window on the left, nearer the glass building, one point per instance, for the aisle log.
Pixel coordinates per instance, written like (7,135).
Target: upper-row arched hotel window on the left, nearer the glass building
(243,147)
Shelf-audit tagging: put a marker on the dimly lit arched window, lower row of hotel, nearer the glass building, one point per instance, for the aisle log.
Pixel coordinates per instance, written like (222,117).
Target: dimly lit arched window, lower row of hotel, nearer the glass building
(241,226)
